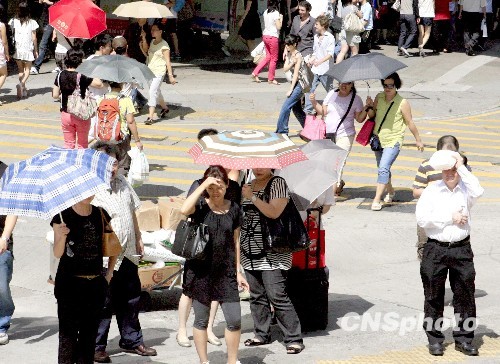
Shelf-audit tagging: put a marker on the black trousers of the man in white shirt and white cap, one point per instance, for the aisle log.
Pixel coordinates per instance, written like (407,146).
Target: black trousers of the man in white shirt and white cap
(436,262)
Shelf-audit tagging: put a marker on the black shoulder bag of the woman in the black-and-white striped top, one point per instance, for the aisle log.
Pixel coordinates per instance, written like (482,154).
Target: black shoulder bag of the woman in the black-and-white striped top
(287,233)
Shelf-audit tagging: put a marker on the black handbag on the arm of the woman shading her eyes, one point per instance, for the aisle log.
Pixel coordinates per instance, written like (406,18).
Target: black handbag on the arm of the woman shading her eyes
(191,239)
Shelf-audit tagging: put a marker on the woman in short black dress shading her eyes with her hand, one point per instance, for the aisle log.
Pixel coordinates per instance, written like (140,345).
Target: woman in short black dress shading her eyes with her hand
(217,277)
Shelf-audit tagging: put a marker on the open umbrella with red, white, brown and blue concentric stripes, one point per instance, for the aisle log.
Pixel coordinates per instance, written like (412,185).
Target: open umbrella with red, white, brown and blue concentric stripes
(246,149)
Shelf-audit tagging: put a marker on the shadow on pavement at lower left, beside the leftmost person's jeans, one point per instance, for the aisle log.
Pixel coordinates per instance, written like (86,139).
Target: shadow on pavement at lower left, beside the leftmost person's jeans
(36,328)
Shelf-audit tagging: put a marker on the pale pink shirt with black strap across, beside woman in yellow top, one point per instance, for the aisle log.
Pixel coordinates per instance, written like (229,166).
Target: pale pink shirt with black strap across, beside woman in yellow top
(337,107)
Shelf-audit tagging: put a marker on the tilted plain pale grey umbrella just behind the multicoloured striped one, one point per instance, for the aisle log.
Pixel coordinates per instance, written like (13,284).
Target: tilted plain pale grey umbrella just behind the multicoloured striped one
(309,179)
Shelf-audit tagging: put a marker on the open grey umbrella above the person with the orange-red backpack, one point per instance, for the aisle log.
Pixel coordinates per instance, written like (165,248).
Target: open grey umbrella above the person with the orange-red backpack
(117,68)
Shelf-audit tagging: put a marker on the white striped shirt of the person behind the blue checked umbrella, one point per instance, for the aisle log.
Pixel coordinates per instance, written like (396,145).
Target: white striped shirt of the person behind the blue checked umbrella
(121,202)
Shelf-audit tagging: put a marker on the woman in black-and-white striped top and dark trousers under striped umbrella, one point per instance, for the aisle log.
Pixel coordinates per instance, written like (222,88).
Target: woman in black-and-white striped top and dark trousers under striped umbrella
(266,272)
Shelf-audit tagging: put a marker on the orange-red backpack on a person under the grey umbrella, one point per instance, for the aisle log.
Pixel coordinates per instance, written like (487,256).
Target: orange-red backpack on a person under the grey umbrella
(108,125)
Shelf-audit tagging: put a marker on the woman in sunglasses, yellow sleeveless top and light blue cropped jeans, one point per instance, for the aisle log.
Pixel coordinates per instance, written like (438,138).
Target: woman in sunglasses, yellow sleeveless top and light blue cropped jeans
(392,116)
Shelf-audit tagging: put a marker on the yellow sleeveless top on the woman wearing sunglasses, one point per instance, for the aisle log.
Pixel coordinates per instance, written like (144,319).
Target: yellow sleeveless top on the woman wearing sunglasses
(394,127)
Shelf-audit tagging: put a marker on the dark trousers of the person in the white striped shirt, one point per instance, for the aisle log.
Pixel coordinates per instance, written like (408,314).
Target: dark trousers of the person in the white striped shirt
(123,296)
